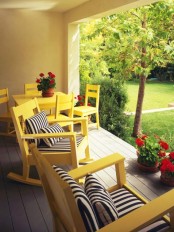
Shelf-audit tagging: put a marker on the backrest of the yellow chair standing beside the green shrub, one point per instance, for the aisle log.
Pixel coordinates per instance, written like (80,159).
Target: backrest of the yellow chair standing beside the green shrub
(92,91)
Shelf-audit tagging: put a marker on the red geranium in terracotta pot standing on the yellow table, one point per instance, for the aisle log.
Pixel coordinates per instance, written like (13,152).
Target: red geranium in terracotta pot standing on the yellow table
(46,84)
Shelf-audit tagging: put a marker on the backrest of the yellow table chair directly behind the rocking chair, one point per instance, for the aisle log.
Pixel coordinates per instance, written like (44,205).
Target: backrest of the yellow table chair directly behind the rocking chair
(65,102)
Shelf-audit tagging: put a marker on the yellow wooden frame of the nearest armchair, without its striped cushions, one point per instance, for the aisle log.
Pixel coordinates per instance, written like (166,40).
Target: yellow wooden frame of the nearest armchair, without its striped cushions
(66,214)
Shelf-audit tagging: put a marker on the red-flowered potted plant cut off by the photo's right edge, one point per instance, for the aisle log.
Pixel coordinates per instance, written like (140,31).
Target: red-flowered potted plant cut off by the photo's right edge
(167,169)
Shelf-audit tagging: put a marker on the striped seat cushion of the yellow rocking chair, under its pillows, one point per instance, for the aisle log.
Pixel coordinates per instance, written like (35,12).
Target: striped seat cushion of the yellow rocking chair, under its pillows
(62,145)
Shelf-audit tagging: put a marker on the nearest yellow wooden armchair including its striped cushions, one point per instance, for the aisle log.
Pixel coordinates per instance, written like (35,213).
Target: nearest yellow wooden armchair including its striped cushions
(134,212)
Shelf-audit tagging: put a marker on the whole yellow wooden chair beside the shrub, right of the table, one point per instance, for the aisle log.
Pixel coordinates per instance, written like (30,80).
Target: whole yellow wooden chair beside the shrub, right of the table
(93,92)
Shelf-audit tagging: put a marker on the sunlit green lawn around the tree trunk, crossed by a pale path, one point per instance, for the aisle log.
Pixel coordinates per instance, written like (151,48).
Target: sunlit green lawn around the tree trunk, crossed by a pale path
(157,95)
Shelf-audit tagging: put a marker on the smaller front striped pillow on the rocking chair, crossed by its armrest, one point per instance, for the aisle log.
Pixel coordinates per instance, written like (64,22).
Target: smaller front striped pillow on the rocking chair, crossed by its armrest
(55,128)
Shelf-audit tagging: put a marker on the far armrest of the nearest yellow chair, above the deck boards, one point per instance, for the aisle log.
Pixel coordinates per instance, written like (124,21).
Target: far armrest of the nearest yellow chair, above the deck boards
(114,159)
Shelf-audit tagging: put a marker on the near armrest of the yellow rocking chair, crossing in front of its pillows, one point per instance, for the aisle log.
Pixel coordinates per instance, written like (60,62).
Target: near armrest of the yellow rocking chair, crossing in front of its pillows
(48,135)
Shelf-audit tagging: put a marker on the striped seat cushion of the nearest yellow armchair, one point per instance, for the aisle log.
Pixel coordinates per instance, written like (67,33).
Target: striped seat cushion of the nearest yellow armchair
(125,202)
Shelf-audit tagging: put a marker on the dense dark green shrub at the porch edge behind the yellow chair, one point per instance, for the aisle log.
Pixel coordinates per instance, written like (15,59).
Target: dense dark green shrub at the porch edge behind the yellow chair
(113,99)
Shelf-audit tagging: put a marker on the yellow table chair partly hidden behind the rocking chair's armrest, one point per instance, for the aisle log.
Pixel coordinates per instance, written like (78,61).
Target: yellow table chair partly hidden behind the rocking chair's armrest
(64,110)
